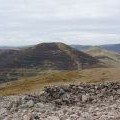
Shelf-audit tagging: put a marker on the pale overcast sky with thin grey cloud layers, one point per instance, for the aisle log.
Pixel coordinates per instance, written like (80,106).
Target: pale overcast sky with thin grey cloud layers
(84,22)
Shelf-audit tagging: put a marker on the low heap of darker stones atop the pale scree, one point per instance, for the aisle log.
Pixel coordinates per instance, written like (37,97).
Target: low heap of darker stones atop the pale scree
(83,93)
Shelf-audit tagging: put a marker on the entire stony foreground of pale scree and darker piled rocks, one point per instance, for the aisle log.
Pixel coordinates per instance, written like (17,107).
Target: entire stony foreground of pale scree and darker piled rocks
(100,101)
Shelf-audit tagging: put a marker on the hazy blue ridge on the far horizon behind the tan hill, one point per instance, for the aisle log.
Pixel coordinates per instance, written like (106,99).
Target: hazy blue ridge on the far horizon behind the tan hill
(111,47)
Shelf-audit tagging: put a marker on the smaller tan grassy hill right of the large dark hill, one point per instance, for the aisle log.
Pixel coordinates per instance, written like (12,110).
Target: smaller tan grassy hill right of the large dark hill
(110,58)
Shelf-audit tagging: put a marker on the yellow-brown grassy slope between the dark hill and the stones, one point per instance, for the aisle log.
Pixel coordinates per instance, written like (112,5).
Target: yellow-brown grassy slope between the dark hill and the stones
(37,83)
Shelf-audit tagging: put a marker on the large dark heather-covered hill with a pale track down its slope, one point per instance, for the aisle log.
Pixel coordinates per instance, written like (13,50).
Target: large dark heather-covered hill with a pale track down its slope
(47,56)
